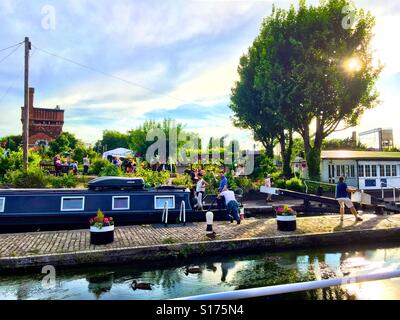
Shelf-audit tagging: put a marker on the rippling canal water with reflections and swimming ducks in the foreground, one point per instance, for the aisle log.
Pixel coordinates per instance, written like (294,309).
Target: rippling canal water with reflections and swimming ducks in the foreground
(217,274)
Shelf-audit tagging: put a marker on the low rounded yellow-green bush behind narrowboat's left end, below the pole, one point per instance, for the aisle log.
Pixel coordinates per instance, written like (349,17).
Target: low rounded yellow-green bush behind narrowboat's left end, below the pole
(32,178)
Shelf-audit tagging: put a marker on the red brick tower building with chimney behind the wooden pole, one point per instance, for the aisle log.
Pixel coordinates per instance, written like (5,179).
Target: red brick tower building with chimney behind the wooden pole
(44,124)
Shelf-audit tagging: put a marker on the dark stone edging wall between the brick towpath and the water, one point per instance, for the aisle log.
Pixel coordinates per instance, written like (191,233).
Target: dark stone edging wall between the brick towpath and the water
(192,249)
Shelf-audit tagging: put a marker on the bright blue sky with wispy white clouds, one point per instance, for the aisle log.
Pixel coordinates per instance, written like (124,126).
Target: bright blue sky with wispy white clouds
(155,59)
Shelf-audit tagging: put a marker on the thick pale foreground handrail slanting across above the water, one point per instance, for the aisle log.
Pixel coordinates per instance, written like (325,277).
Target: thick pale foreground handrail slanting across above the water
(293,287)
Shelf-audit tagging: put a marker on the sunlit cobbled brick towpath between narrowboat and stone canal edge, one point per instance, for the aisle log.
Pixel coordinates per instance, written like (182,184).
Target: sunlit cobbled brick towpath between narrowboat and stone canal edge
(55,242)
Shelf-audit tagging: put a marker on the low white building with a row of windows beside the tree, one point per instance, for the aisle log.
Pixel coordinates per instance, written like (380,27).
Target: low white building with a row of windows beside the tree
(363,169)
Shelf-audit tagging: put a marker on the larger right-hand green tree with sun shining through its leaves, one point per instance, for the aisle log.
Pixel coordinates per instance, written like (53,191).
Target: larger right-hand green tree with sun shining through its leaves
(316,70)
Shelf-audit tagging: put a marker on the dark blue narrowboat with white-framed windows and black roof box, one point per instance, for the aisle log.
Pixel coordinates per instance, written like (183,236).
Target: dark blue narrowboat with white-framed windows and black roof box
(125,199)
